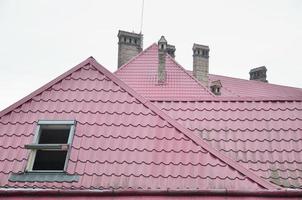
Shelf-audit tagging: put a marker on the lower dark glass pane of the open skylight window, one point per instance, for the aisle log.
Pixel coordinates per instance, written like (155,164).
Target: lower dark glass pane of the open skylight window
(49,160)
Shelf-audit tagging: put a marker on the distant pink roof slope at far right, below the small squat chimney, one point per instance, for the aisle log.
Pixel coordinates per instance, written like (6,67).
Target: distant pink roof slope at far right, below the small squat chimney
(251,88)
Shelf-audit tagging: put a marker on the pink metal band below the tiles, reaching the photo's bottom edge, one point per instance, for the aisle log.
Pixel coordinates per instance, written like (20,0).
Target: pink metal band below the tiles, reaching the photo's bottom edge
(155,195)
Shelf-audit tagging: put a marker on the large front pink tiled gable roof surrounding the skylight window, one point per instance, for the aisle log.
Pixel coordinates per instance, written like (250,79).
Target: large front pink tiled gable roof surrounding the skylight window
(122,141)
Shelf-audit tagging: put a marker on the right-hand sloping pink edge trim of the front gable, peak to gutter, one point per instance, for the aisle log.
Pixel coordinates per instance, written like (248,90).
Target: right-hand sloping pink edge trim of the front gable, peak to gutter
(233,164)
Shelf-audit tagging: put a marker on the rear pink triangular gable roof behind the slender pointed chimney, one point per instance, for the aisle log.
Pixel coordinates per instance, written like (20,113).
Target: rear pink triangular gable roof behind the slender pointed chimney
(140,73)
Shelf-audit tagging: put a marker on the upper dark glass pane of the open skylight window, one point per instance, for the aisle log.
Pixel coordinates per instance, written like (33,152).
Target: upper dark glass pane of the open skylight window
(54,136)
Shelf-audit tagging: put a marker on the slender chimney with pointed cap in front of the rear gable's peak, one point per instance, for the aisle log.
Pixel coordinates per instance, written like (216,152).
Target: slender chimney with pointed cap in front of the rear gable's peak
(162,49)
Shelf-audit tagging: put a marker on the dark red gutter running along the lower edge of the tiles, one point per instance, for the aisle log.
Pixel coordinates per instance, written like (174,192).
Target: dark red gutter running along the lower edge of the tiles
(216,192)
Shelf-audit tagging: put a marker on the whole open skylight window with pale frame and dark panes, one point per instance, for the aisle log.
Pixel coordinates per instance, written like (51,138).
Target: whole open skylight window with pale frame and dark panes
(50,149)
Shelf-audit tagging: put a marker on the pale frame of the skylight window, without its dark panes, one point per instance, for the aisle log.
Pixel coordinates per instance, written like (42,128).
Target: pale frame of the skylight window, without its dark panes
(36,146)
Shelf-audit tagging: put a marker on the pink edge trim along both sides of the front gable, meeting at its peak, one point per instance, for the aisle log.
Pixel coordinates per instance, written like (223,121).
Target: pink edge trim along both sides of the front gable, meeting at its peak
(250,175)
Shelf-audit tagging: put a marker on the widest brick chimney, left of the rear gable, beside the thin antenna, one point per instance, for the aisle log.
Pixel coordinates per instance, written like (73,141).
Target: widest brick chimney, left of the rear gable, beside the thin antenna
(129,45)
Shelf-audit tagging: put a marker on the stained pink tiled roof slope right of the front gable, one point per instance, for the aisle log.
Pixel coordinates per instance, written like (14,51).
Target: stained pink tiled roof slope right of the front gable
(263,136)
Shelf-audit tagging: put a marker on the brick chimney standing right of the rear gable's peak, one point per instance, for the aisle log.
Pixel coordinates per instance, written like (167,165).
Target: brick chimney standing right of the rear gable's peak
(201,63)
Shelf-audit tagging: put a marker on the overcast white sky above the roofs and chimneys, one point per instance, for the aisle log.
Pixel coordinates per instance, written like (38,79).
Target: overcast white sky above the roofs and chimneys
(41,39)
